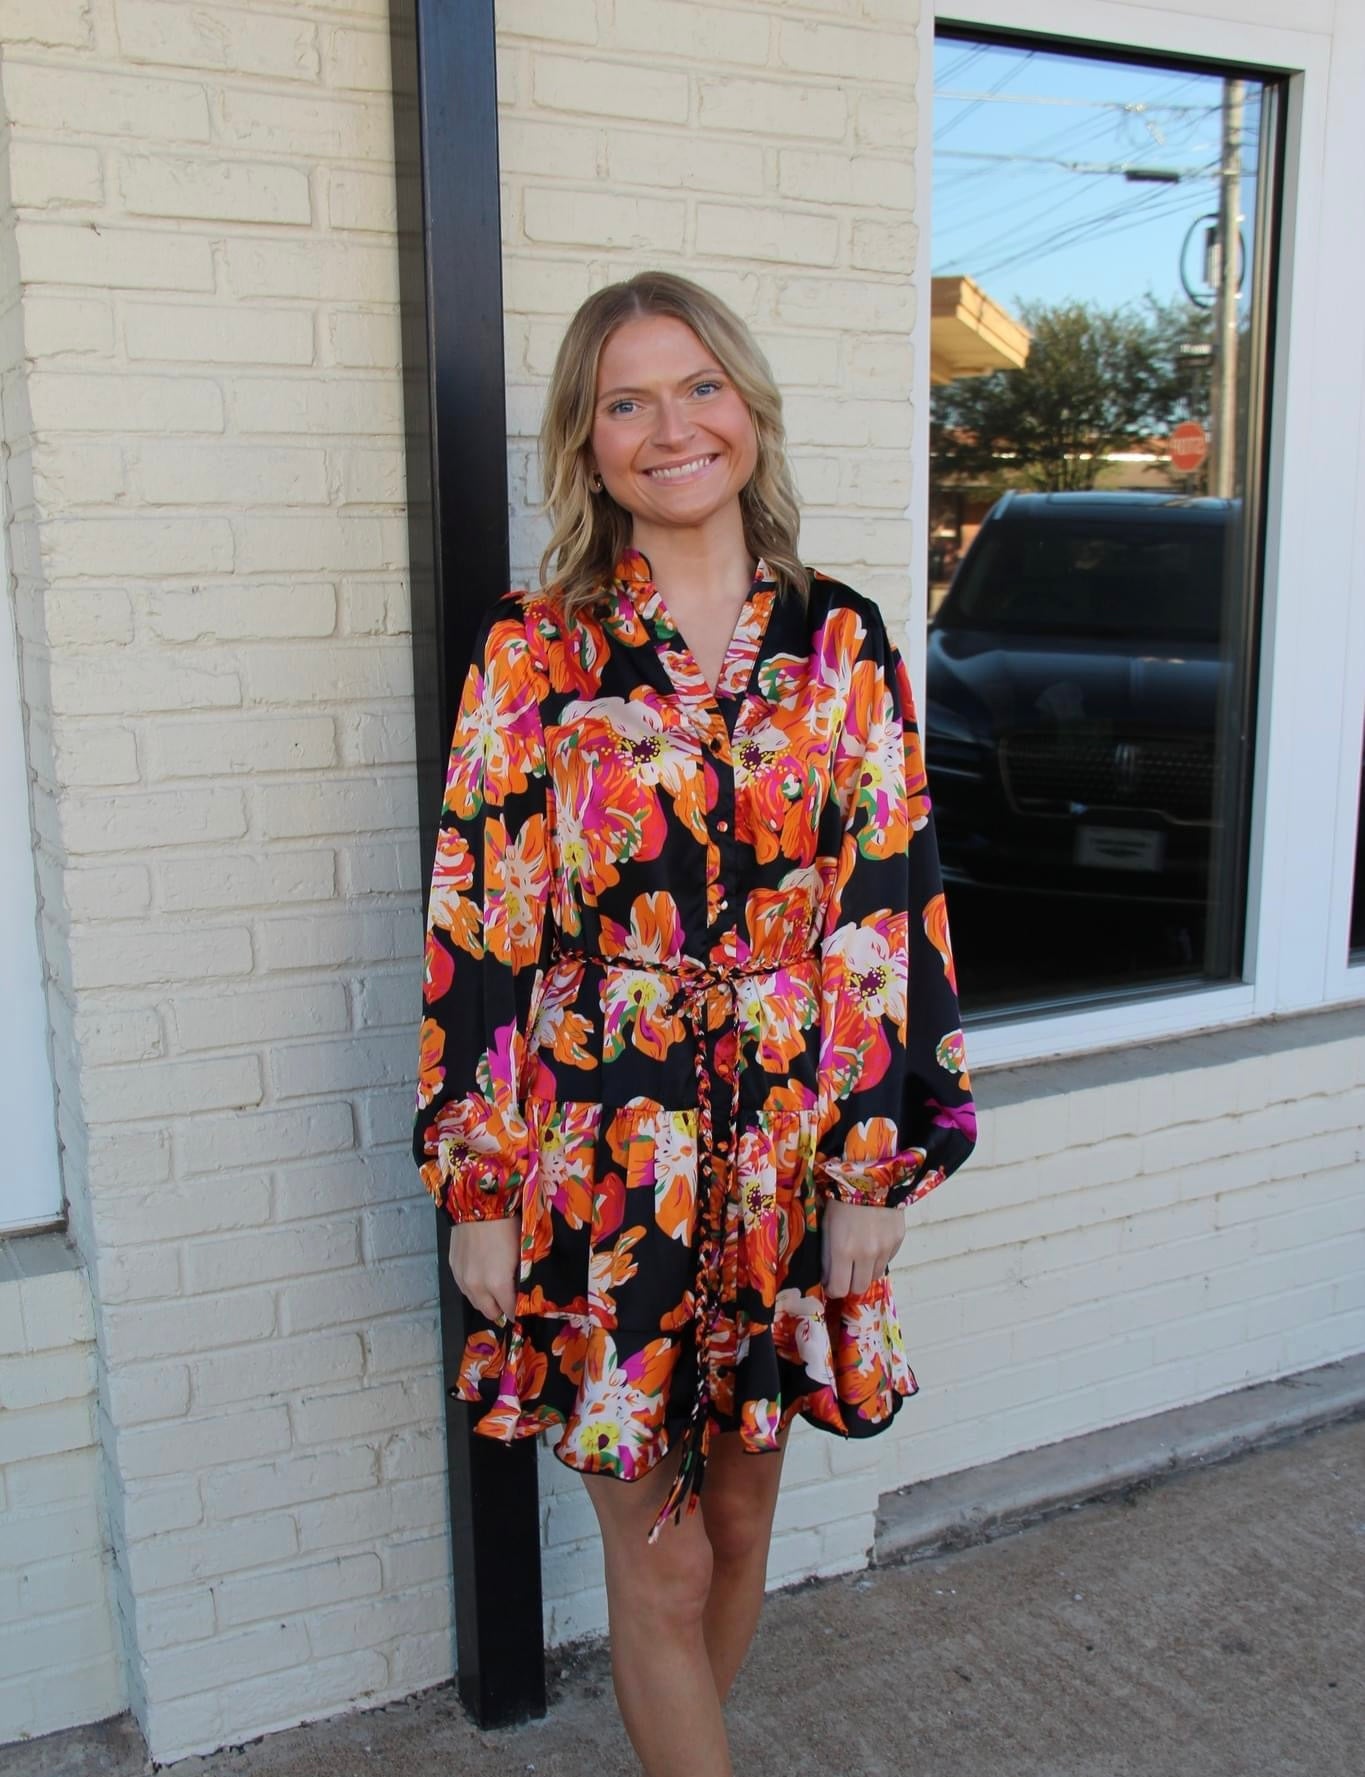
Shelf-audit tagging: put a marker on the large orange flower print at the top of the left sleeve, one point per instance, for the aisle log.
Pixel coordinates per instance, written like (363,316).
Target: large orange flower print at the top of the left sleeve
(499,738)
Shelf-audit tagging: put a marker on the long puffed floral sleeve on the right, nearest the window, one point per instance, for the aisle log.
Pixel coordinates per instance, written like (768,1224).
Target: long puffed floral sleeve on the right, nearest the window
(895,1097)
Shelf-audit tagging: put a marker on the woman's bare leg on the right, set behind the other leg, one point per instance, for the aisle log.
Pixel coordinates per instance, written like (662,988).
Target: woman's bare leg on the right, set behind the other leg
(738,1504)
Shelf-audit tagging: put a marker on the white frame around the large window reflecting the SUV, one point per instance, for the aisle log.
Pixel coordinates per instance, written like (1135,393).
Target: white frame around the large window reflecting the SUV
(1311,699)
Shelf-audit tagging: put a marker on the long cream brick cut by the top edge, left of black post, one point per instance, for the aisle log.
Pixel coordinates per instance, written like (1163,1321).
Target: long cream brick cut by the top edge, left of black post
(239,42)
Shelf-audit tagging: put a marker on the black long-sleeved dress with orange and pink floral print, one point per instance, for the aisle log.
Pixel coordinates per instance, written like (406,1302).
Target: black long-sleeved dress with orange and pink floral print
(687,976)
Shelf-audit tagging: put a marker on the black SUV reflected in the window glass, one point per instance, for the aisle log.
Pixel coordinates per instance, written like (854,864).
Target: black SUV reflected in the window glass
(1074,674)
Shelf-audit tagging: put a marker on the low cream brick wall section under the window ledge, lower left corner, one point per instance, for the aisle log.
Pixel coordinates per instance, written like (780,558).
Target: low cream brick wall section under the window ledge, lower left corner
(60,1653)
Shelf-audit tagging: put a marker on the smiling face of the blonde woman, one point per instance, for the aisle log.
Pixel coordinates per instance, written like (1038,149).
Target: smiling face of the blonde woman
(671,438)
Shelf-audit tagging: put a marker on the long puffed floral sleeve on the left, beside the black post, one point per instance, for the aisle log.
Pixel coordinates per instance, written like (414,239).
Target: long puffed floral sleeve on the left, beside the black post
(486,934)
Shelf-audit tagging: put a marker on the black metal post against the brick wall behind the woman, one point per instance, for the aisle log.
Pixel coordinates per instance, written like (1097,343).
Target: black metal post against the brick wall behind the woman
(445,127)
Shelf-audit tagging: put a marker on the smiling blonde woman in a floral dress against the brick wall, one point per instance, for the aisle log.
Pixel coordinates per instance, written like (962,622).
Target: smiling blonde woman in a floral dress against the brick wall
(692,1035)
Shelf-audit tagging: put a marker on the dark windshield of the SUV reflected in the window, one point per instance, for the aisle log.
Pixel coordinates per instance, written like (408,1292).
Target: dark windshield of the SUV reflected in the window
(1122,582)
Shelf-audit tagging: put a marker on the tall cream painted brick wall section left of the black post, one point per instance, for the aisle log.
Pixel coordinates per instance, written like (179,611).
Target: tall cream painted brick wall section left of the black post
(204,429)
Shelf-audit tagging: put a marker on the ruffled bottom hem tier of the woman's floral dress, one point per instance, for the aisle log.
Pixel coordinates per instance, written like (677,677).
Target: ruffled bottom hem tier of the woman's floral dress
(619,1401)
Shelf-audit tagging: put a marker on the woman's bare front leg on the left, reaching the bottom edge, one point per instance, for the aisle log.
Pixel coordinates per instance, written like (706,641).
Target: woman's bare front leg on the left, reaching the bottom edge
(657,1600)
